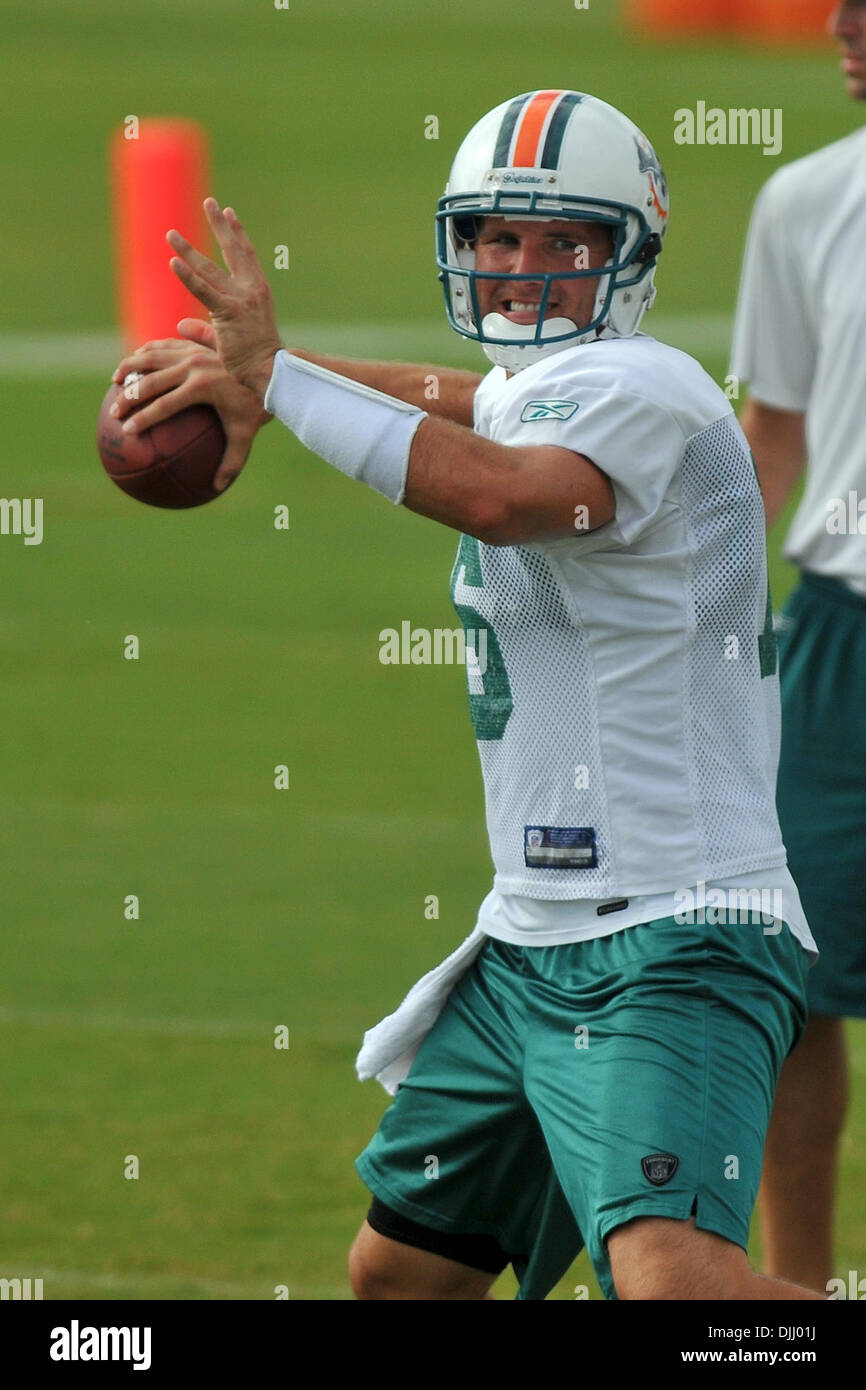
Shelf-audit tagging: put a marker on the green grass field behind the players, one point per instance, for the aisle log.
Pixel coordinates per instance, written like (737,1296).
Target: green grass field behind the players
(259,908)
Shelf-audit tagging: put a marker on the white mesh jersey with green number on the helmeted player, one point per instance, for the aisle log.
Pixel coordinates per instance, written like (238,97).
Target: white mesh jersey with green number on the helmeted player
(625,693)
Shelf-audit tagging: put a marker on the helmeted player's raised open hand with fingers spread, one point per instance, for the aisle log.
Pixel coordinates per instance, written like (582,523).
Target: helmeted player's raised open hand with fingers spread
(240,298)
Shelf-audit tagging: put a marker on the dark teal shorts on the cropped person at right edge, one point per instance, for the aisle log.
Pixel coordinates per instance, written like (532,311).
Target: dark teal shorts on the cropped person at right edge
(822,782)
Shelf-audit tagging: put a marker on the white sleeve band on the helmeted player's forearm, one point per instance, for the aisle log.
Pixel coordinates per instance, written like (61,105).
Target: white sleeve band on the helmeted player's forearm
(363,433)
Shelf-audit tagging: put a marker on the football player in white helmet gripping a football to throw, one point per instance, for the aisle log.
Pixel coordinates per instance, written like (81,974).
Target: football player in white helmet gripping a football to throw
(597,1064)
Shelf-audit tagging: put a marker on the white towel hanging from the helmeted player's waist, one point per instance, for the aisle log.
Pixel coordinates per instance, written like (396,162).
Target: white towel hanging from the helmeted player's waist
(390,1049)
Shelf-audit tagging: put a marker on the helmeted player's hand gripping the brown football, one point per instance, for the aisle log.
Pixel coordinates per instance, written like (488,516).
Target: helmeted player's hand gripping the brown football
(187,372)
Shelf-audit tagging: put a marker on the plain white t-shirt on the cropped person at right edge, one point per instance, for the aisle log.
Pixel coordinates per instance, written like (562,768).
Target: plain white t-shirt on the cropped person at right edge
(800,341)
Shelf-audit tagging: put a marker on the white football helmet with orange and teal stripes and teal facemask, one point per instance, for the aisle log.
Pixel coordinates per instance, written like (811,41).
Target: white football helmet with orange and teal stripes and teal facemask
(554,155)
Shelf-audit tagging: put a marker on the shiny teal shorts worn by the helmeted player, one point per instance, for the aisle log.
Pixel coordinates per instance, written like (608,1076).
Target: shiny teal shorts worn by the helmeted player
(569,1089)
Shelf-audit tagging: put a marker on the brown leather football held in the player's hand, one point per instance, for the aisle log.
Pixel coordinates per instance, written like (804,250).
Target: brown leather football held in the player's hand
(172,465)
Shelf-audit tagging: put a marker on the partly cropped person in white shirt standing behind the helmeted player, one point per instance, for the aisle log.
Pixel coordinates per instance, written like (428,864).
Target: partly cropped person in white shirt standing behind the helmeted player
(801,344)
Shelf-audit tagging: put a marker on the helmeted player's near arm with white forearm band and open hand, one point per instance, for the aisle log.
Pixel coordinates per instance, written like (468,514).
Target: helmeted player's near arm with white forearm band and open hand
(444,471)
